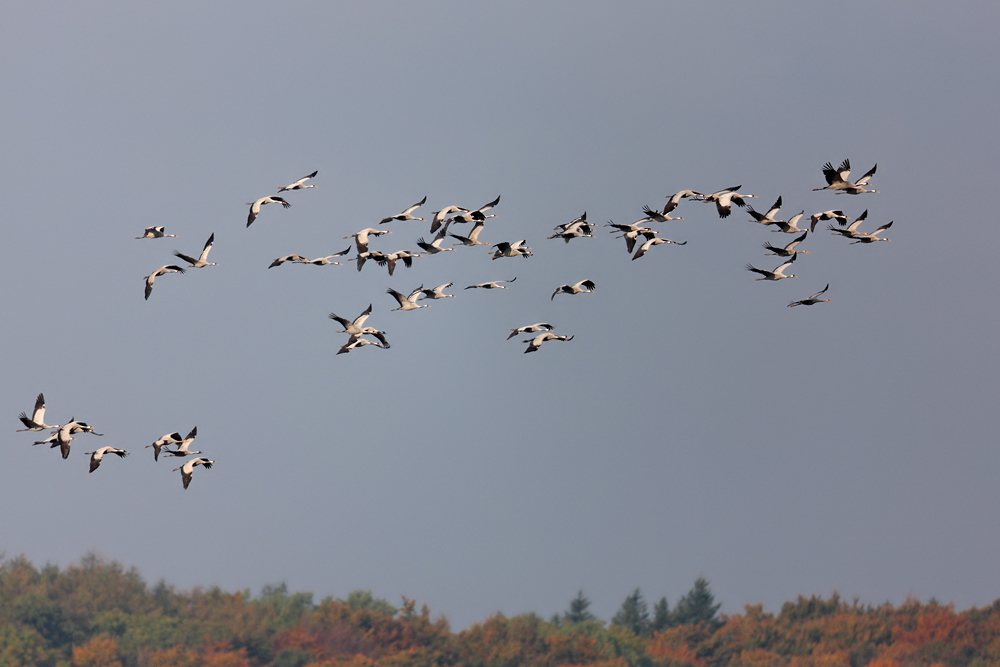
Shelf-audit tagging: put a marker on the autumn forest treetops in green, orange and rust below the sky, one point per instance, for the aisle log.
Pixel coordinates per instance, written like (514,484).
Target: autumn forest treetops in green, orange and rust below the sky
(98,614)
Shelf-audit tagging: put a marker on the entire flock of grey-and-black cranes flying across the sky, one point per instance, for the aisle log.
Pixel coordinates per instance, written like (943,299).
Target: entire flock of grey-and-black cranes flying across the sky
(640,238)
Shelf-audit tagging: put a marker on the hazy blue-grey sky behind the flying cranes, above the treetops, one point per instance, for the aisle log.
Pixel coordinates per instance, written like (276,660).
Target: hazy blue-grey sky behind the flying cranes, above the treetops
(694,426)
